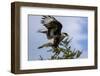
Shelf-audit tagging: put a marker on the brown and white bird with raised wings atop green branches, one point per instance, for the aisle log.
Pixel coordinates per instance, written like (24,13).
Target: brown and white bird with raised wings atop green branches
(53,31)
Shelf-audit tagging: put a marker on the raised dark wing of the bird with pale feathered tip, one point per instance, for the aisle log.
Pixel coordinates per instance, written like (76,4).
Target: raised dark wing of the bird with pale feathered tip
(53,26)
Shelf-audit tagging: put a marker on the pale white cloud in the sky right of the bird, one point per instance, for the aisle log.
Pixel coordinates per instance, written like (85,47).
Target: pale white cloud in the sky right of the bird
(73,26)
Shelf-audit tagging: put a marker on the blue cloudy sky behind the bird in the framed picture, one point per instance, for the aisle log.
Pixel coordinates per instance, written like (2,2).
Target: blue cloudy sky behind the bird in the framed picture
(76,27)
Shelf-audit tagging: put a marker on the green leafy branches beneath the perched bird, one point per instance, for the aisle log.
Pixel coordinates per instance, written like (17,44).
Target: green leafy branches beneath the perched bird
(64,51)
